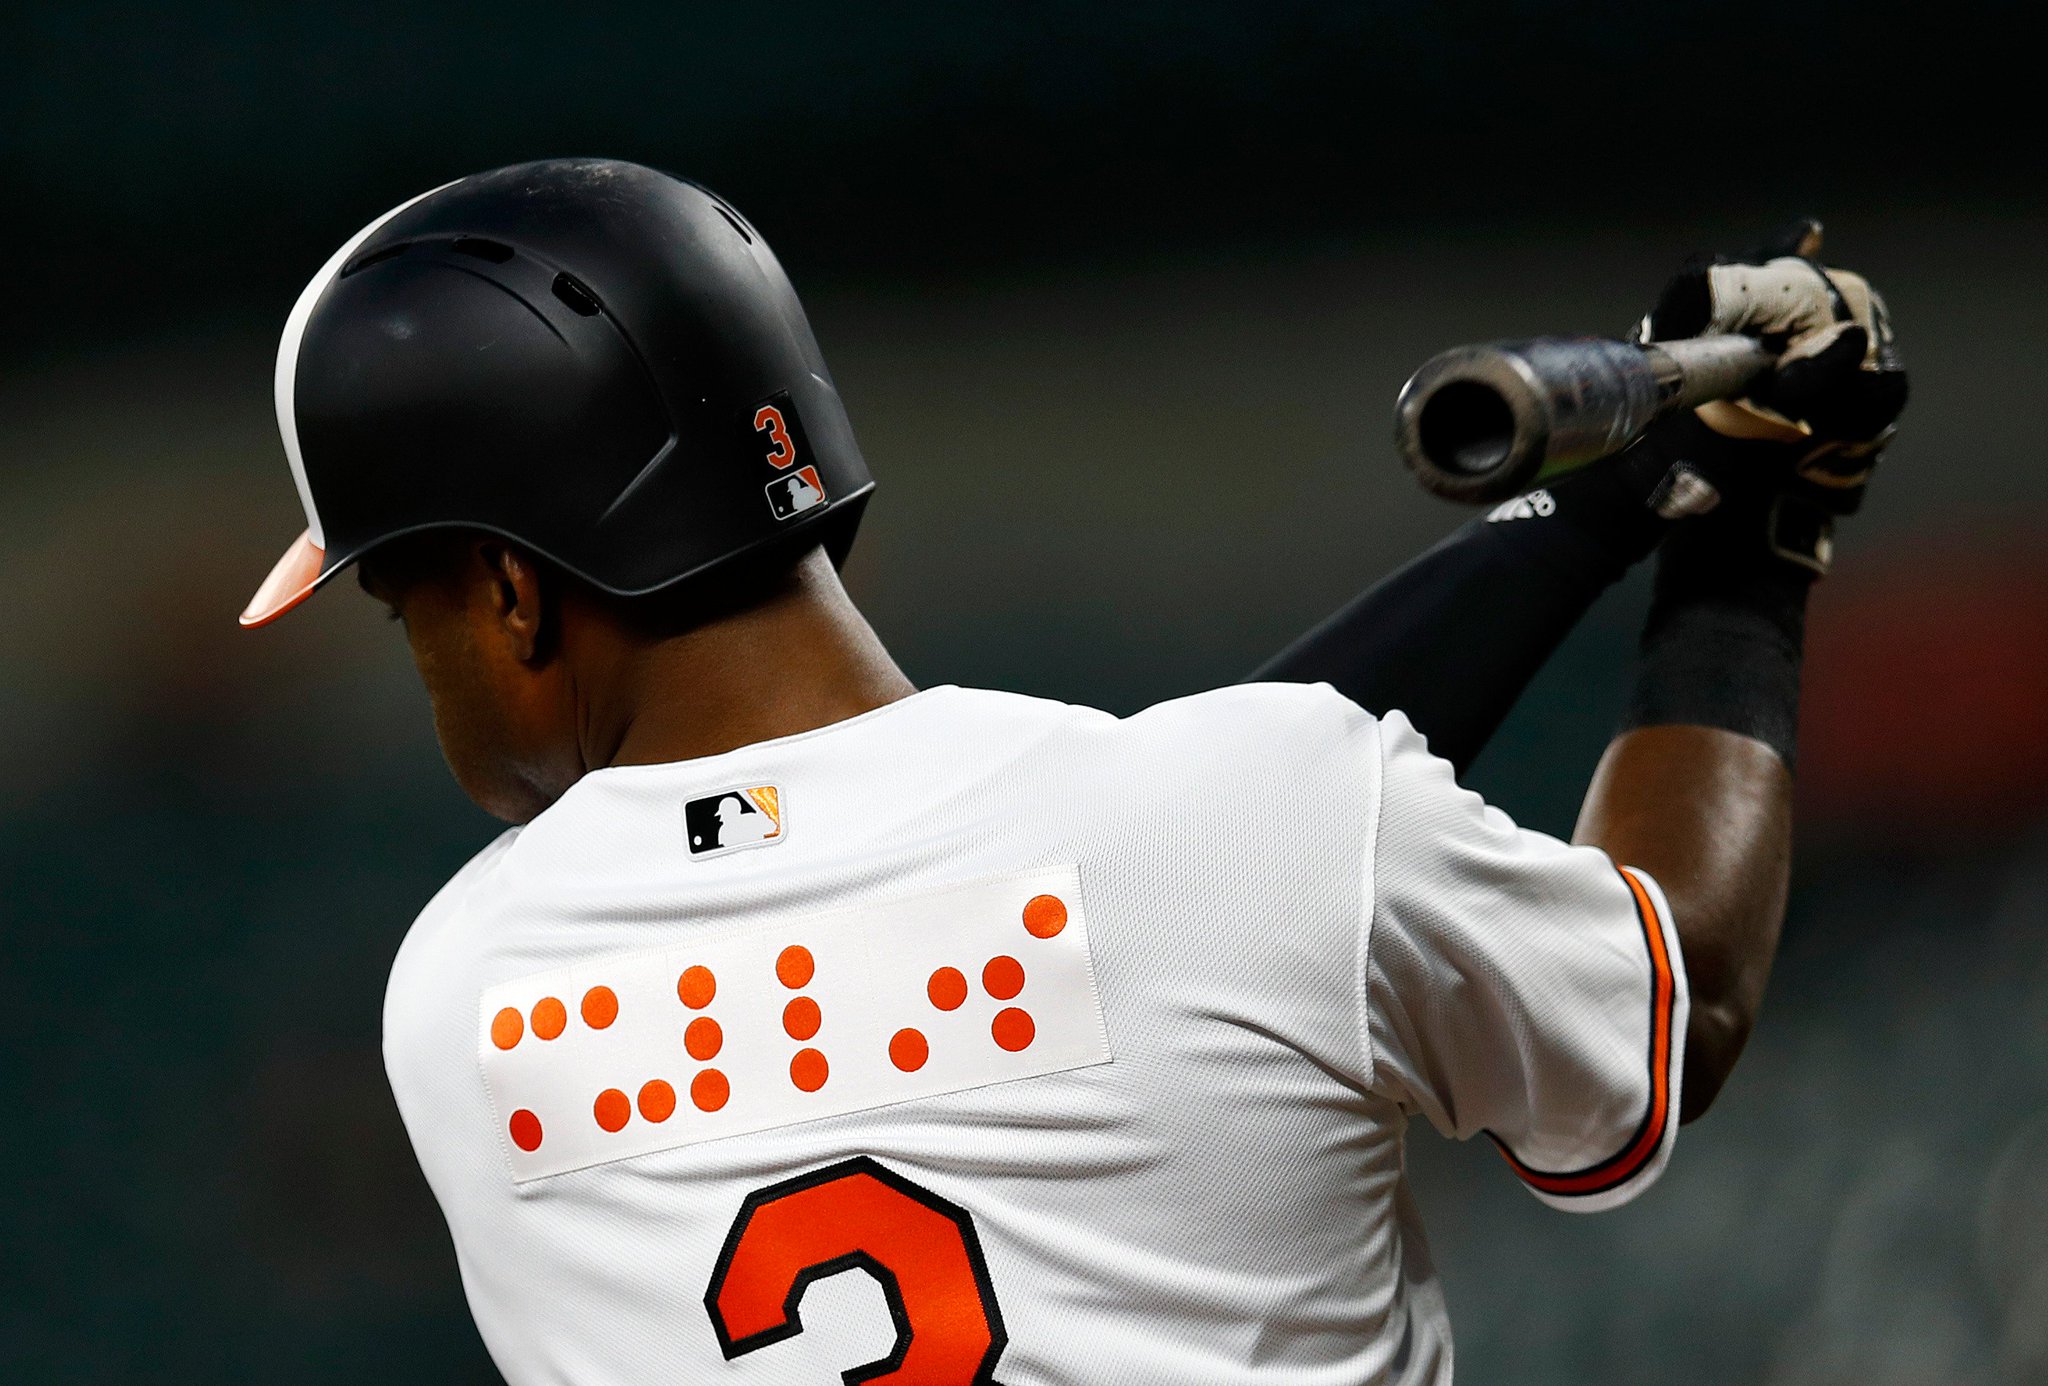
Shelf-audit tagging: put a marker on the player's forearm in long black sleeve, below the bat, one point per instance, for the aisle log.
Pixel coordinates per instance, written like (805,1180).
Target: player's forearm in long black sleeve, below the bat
(1455,636)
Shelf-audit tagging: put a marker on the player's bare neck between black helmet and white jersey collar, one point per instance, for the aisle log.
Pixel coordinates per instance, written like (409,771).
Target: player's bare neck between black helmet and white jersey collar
(802,660)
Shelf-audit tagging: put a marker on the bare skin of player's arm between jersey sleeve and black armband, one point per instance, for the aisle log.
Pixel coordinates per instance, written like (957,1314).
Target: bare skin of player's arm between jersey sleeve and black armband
(1709,814)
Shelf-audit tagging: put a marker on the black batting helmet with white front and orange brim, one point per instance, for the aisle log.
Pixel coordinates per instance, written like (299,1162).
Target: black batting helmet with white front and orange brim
(589,357)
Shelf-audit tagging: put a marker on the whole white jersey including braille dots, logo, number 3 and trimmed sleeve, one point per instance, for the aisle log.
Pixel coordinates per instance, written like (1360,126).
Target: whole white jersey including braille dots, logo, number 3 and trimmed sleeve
(984,1039)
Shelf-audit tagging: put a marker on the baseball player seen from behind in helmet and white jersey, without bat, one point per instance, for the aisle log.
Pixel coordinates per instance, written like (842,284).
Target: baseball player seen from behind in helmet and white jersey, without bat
(810,1027)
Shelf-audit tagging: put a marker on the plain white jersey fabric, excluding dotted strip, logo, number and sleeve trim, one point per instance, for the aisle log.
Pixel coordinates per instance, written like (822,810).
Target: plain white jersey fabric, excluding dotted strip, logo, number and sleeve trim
(1224,1201)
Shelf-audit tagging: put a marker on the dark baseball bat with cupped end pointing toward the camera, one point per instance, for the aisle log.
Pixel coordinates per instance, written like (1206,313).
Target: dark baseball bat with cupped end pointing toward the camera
(1488,423)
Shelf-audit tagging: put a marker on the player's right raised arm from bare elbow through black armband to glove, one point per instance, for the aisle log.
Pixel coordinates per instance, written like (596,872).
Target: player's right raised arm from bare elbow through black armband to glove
(1699,787)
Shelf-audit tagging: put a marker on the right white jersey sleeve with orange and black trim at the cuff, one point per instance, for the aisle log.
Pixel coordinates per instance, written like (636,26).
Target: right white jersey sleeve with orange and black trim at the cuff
(1519,988)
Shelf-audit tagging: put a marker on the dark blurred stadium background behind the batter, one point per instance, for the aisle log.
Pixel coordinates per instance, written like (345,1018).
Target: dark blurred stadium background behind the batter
(1119,298)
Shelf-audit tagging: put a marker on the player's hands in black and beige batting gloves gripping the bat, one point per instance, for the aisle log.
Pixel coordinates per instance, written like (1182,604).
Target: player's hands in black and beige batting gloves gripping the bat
(1801,447)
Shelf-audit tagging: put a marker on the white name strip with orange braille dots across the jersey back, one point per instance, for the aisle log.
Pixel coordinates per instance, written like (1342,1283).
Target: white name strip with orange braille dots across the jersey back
(792,1021)
